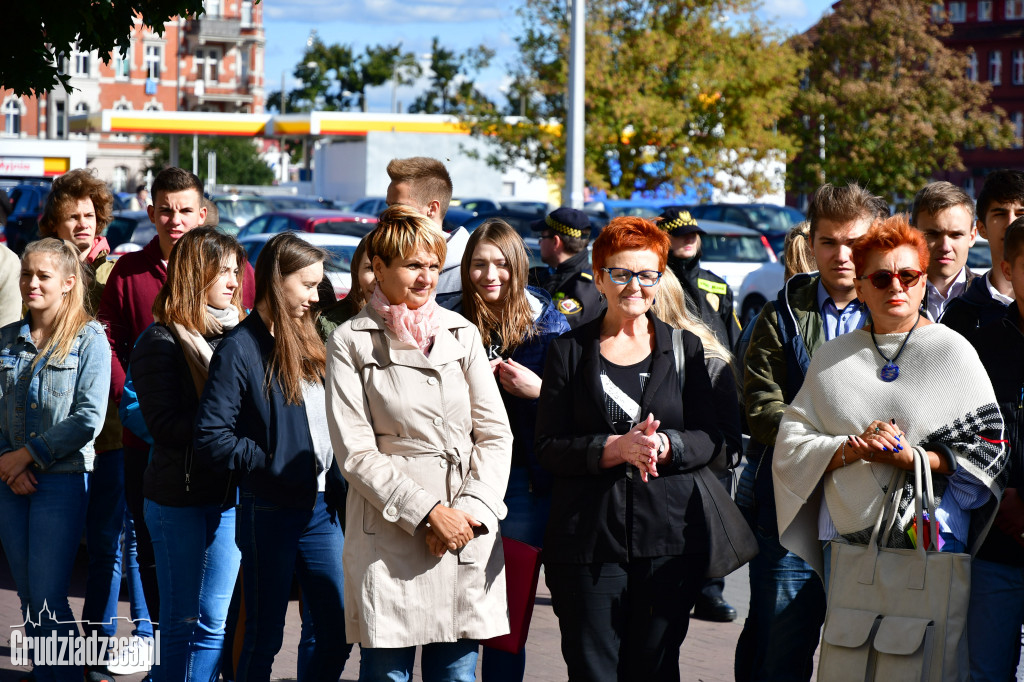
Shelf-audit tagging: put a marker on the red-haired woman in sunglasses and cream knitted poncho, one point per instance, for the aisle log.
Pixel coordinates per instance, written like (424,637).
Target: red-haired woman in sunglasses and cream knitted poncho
(872,398)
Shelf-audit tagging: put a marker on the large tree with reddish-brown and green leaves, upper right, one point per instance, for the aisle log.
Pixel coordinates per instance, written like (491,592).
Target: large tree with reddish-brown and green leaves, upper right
(885,103)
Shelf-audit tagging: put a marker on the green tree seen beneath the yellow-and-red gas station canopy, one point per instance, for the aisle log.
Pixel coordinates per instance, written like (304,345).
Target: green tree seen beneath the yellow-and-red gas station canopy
(238,158)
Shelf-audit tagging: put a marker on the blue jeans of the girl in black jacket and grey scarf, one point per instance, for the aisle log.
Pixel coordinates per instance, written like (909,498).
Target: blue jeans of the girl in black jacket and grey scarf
(197,566)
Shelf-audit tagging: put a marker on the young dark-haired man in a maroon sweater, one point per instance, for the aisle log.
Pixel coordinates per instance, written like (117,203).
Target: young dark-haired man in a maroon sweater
(125,312)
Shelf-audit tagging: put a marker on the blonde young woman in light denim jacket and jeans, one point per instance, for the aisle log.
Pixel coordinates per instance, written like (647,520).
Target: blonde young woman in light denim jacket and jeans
(55,379)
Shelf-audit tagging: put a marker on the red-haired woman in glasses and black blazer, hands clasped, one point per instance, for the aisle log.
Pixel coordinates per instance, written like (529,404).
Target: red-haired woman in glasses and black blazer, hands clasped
(627,543)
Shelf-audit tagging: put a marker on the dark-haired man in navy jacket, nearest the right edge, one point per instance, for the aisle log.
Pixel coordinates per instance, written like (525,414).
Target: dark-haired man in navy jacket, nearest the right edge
(1001,202)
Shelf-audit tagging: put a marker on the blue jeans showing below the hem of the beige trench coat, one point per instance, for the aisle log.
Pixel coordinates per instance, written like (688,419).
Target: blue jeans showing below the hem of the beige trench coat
(444,662)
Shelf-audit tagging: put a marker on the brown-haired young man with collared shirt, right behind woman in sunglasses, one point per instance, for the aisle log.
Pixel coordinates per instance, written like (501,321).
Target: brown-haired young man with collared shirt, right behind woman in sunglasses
(945,215)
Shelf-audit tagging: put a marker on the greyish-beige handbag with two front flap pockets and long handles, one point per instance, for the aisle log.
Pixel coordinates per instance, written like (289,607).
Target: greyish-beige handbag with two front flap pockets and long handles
(898,614)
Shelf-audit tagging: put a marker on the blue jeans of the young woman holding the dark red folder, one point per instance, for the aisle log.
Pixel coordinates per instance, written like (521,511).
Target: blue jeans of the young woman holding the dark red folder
(527,522)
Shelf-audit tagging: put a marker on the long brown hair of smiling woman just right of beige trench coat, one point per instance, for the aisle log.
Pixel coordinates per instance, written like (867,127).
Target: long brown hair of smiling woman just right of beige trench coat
(515,322)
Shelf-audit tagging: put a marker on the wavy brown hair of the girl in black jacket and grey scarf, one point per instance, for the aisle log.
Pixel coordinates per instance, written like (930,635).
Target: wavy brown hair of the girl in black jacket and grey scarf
(197,260)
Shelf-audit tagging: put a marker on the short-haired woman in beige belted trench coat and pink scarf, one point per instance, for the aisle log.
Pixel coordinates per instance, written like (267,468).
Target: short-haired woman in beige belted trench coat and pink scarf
(423,440)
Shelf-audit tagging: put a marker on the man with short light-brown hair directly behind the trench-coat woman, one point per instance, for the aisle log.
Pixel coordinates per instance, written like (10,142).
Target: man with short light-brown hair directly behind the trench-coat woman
(423,184)
